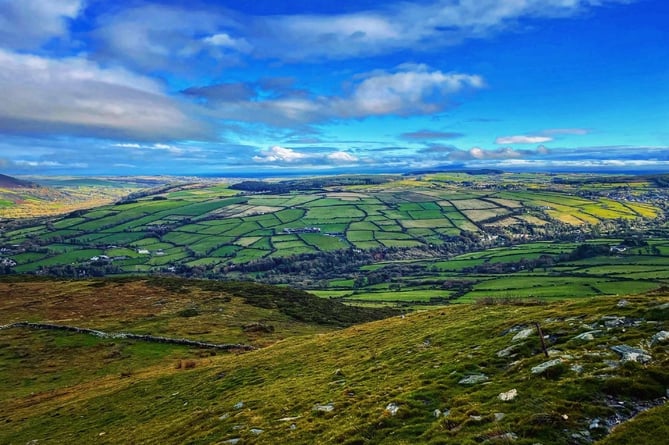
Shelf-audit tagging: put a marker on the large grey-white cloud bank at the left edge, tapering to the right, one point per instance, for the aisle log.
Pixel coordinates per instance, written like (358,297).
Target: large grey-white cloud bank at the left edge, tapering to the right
(77,97)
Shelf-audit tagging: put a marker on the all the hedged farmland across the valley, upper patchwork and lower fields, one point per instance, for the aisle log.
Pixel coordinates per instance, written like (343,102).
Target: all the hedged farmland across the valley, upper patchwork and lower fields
(219,231)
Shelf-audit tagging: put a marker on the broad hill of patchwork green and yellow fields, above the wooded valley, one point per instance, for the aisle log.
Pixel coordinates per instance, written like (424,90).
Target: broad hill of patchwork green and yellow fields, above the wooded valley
(212,227)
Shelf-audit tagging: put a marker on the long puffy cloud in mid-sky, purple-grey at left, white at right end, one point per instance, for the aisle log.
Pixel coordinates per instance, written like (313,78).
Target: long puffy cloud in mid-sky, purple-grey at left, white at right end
(407,90)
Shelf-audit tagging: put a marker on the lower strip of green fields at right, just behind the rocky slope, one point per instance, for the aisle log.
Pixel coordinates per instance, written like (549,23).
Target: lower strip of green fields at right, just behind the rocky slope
(509,273)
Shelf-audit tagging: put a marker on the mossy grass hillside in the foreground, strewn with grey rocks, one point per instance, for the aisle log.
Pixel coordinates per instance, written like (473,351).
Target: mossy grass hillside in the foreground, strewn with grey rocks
(462,374)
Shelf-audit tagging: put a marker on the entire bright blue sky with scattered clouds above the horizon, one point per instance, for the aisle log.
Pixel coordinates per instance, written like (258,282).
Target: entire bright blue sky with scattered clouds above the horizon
(237,87)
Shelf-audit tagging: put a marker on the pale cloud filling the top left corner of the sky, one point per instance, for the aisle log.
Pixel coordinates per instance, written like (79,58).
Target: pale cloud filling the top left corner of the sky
(25,24)
